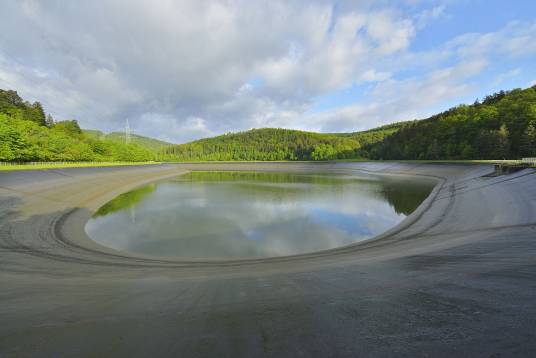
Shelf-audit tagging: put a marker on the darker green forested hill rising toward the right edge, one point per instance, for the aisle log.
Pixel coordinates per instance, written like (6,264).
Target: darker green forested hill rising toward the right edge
(501,126)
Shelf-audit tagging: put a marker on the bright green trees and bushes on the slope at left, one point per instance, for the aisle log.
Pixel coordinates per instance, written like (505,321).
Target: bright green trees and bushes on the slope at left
(27,134)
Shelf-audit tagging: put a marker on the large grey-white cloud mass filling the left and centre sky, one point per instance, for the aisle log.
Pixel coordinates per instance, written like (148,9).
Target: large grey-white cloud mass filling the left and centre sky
(191,58)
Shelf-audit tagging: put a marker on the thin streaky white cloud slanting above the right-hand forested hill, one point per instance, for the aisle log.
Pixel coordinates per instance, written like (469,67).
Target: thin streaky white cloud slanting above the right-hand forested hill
(414,97)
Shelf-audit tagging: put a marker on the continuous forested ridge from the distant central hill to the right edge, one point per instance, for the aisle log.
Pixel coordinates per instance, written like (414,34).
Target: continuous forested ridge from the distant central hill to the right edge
(501,126)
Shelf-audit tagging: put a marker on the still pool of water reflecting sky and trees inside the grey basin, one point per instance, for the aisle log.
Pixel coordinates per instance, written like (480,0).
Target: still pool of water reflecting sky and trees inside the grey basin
(253,214)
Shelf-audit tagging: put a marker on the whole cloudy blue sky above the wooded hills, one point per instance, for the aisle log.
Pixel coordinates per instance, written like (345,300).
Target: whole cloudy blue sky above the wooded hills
(187,69)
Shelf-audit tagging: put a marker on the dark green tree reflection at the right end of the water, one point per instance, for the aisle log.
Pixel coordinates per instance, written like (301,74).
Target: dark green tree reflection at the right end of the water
(405,196)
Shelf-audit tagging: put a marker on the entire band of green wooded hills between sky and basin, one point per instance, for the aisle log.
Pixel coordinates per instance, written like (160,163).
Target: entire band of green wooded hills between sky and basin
(501,126)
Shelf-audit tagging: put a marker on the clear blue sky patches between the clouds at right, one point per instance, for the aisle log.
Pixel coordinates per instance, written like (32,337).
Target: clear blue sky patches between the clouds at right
(457,18)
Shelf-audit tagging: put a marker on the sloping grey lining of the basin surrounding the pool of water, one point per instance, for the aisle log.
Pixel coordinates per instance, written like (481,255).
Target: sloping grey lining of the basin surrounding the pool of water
(457,277)
